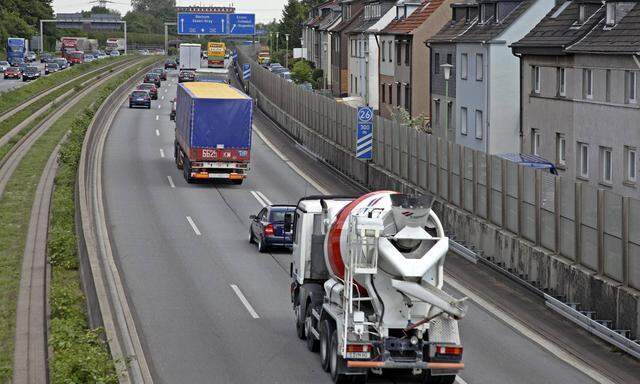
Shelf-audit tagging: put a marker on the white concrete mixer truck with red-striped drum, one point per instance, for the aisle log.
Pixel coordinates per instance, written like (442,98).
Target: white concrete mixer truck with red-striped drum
(367,277)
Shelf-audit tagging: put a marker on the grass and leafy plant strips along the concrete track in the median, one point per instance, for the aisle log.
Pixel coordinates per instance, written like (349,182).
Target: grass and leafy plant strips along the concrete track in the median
(79,354)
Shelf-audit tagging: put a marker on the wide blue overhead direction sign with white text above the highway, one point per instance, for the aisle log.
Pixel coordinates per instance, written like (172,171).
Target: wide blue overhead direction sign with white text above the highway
(234,24)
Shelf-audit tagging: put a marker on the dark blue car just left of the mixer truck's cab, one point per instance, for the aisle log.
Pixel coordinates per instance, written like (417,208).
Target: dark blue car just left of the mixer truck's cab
(267,228)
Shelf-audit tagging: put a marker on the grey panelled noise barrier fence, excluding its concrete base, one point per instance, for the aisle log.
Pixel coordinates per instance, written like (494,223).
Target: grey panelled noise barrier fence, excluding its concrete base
(596,229)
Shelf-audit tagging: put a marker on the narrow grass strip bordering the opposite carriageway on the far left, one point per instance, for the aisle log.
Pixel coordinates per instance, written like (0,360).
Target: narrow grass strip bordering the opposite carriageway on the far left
(15,97)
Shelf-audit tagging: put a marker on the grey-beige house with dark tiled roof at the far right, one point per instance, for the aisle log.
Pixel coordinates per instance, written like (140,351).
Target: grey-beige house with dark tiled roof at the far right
(580,101)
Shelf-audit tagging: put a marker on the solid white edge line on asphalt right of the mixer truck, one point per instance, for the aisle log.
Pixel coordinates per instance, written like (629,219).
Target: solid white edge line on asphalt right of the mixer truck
(530,334)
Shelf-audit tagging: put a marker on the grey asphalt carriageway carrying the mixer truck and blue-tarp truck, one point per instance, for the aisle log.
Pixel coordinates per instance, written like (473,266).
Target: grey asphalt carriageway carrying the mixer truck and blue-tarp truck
(209,307)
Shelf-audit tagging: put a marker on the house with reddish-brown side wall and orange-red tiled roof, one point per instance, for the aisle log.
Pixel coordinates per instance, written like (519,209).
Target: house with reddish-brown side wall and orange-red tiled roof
(414,22)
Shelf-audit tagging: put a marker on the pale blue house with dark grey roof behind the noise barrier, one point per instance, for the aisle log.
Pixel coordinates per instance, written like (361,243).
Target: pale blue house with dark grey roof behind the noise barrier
(487,110)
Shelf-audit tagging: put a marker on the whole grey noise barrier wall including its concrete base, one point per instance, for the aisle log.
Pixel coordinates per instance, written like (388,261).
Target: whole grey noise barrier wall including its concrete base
(576,243)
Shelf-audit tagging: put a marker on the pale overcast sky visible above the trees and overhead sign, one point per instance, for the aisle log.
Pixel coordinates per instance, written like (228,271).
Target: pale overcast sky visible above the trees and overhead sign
(265,10)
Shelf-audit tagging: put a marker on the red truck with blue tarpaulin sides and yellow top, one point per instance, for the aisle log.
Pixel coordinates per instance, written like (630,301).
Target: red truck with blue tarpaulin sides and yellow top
(213,132)
